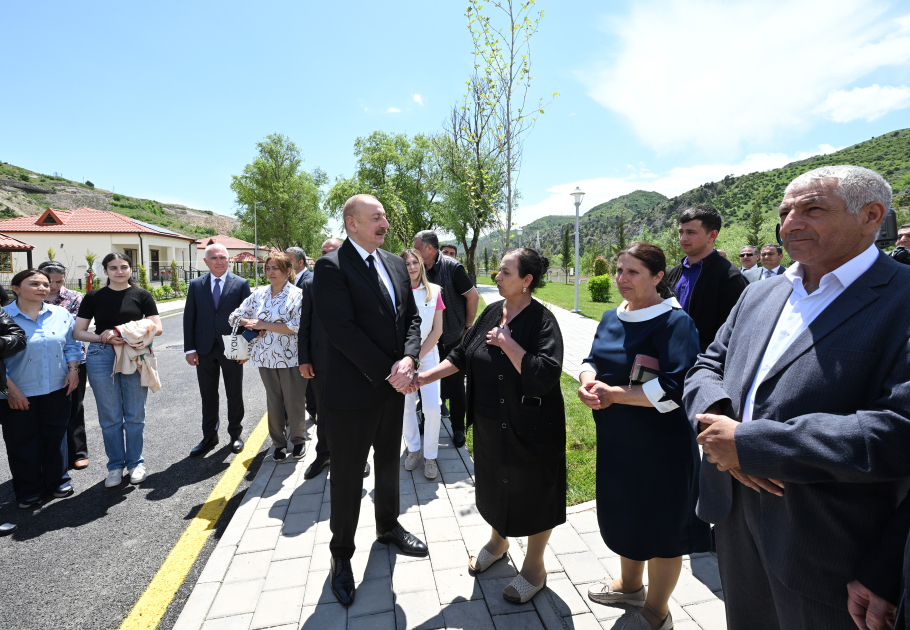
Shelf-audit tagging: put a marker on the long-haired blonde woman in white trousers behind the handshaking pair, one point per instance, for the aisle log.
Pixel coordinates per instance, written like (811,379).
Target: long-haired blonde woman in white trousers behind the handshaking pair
(429,303)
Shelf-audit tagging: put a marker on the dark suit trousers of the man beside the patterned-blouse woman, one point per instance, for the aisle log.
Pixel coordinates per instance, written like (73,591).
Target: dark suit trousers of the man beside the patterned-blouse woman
(207,372)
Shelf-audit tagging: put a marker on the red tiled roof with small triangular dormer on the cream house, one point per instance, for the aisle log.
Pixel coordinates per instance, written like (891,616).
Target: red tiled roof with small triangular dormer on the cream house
(83,220)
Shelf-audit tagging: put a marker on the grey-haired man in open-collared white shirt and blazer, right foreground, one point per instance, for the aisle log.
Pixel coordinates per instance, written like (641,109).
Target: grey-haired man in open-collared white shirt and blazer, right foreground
(802,404)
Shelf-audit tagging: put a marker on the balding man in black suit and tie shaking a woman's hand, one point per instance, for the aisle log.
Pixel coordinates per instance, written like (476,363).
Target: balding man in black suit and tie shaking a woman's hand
(364,300)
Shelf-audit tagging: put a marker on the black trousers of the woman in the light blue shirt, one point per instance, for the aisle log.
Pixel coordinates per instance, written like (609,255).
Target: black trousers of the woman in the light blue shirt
(36,443)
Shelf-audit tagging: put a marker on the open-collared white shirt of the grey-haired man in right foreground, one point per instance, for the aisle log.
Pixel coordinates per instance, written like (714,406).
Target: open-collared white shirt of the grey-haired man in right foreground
(801,309)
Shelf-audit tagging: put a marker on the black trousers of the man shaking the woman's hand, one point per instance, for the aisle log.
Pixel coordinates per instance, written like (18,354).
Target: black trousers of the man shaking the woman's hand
(351,433)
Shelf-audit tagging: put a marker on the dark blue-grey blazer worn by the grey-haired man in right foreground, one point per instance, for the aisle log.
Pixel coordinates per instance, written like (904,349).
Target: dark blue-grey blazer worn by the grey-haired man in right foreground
(831,420)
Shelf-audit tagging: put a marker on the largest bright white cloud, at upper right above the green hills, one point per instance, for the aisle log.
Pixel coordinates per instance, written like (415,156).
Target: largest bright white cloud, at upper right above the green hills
(712,75)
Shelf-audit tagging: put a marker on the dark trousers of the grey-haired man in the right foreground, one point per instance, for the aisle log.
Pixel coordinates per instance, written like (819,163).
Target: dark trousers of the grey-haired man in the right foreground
(755,599)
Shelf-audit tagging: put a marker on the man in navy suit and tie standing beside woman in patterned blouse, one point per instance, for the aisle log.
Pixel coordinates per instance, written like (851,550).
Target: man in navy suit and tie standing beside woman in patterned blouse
(209,301)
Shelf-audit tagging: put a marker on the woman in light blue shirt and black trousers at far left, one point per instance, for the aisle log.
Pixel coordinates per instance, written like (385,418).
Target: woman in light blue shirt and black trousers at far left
(40,379)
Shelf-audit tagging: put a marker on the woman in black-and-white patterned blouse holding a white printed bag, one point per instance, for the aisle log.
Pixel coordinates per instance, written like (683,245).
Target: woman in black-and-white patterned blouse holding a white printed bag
(275,310)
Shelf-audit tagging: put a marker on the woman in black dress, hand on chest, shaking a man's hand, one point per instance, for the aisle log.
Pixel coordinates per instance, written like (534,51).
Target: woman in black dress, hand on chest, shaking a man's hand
(513,360)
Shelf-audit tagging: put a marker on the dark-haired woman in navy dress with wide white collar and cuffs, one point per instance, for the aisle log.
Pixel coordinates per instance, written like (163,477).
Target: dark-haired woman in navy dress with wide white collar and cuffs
(647,458)
